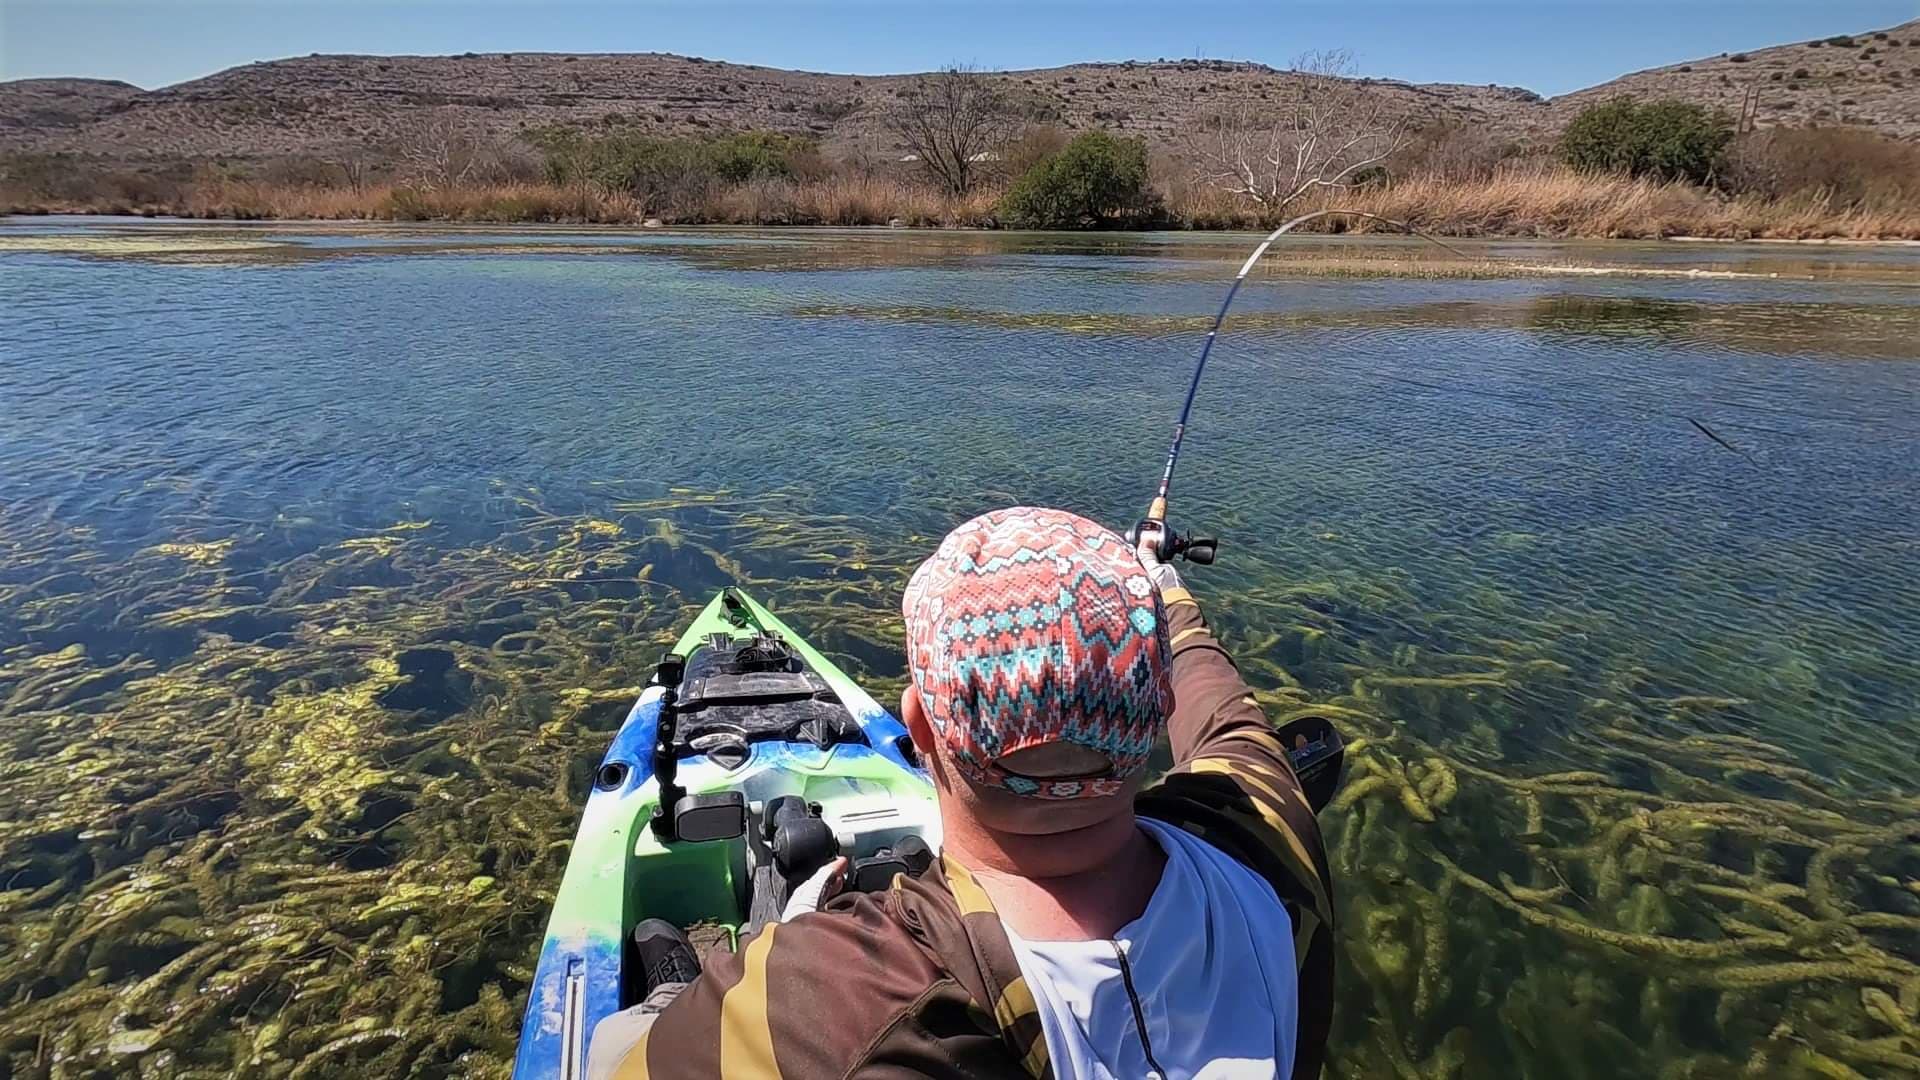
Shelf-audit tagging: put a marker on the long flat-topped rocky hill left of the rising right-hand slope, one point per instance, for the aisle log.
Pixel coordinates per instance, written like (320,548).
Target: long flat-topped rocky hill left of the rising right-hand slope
(339,105)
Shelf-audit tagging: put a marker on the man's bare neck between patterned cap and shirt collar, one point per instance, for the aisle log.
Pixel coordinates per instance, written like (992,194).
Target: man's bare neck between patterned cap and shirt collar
(1067,887)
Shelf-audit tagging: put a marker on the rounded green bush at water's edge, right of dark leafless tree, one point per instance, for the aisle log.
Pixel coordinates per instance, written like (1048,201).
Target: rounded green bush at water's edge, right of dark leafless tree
(1095,180)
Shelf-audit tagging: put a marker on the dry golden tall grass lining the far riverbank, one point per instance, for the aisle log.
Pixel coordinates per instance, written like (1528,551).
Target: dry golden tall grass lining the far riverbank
(1518,201)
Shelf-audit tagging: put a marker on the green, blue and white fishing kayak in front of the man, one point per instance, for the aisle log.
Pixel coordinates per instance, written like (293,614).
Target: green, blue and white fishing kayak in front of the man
(771,762)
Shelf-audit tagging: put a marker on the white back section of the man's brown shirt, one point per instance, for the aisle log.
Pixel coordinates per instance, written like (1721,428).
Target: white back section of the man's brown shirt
(1212,973)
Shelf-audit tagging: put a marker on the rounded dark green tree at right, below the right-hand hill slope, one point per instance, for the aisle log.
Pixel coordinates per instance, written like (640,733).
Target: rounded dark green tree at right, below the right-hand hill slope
(1671,141)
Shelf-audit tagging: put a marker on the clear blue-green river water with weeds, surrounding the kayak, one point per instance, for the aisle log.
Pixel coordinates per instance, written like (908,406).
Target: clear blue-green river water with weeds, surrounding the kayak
(327,568)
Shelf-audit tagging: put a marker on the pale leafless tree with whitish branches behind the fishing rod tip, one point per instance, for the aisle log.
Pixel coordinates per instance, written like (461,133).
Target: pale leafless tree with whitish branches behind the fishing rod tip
(1333,130)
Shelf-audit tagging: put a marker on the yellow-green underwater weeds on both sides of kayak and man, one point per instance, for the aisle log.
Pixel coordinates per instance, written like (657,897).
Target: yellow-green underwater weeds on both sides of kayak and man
(297,810)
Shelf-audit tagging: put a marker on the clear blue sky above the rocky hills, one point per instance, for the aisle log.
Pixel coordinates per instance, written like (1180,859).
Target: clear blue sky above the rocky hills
(1545,45)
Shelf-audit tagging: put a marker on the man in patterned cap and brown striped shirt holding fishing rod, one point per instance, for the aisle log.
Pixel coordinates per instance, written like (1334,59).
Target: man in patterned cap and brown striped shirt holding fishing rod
(1074,923)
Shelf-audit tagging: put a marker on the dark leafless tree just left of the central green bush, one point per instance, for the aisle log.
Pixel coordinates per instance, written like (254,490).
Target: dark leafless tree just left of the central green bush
(953,124)
